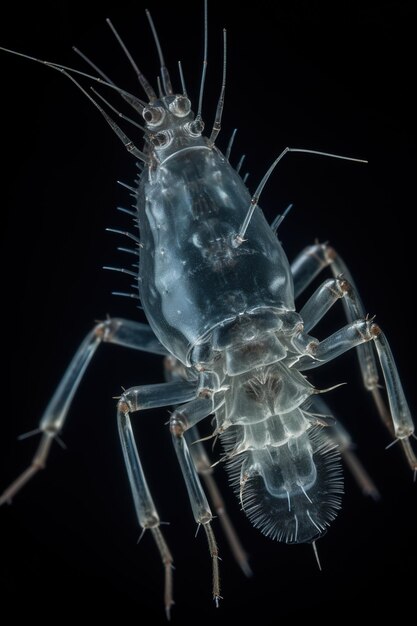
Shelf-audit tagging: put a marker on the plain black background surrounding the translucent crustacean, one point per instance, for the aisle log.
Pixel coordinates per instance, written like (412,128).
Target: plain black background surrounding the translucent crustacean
(336,78)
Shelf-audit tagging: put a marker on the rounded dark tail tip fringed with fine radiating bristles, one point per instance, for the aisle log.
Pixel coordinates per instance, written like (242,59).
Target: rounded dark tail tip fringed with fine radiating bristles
(277,490)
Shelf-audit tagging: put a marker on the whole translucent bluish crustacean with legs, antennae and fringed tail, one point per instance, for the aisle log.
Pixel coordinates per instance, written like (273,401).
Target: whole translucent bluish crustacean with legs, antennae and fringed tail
(218,292)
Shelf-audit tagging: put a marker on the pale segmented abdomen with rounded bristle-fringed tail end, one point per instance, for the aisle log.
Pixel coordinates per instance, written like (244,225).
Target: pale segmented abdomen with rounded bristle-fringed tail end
(283,466)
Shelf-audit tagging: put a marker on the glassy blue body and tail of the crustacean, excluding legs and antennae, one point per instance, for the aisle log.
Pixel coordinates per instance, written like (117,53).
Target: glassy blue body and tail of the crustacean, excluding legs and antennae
(229,309)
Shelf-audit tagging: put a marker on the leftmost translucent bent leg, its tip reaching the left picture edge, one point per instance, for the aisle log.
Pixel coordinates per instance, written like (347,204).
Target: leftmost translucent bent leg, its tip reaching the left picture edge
(116,331)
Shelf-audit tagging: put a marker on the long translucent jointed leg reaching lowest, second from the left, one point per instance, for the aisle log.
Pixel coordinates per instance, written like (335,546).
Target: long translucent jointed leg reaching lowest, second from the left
(135,399)
